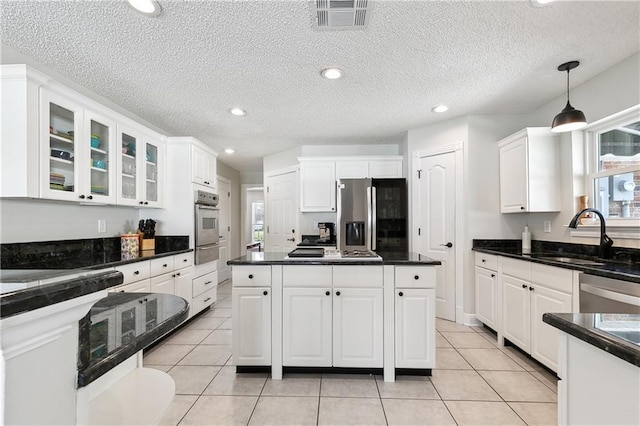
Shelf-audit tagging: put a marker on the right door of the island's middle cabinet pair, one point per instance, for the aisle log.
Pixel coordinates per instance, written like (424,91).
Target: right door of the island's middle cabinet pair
(357,327)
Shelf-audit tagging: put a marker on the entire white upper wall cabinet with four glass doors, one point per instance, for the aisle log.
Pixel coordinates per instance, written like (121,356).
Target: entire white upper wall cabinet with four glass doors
(57,144)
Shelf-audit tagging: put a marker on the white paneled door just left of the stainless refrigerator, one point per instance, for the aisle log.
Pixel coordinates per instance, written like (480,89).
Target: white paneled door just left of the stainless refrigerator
(281,212)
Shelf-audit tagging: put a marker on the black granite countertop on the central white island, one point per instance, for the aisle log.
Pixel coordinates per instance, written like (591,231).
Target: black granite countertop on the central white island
(388,258)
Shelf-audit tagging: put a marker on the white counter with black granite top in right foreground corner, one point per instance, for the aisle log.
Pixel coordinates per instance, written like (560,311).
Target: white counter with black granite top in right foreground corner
(598,367)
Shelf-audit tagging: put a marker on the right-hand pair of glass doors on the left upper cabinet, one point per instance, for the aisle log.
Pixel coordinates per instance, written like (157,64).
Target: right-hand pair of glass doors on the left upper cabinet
(140,168)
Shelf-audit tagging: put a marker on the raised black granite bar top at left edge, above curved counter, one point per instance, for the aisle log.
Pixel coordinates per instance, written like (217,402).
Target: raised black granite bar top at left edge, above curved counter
(25,300)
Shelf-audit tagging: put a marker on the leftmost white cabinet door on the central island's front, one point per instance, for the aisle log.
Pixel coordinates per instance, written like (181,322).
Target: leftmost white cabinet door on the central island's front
(251,337)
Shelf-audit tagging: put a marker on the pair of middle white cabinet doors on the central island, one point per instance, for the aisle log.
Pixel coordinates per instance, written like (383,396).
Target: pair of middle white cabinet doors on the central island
(326,327)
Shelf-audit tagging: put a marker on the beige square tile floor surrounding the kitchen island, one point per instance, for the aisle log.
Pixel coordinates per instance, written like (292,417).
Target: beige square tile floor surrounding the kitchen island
(476,382)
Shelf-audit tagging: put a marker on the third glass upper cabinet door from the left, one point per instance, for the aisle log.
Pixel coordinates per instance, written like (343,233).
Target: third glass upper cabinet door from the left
(128,168)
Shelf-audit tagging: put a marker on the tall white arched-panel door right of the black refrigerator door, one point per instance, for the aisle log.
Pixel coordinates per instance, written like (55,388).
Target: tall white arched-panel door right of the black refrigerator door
(437,192)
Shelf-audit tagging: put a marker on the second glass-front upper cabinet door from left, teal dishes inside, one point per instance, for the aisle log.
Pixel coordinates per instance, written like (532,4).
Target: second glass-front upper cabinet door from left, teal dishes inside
(100,175)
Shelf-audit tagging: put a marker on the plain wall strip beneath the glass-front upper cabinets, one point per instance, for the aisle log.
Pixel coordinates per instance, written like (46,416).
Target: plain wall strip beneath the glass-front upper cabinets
(40,220)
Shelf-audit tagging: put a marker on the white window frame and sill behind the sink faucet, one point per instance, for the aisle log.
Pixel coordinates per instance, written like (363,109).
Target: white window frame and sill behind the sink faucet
(620,227)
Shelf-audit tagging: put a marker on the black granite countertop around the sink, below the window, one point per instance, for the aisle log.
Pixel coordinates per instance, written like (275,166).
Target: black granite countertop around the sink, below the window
(624,266)
